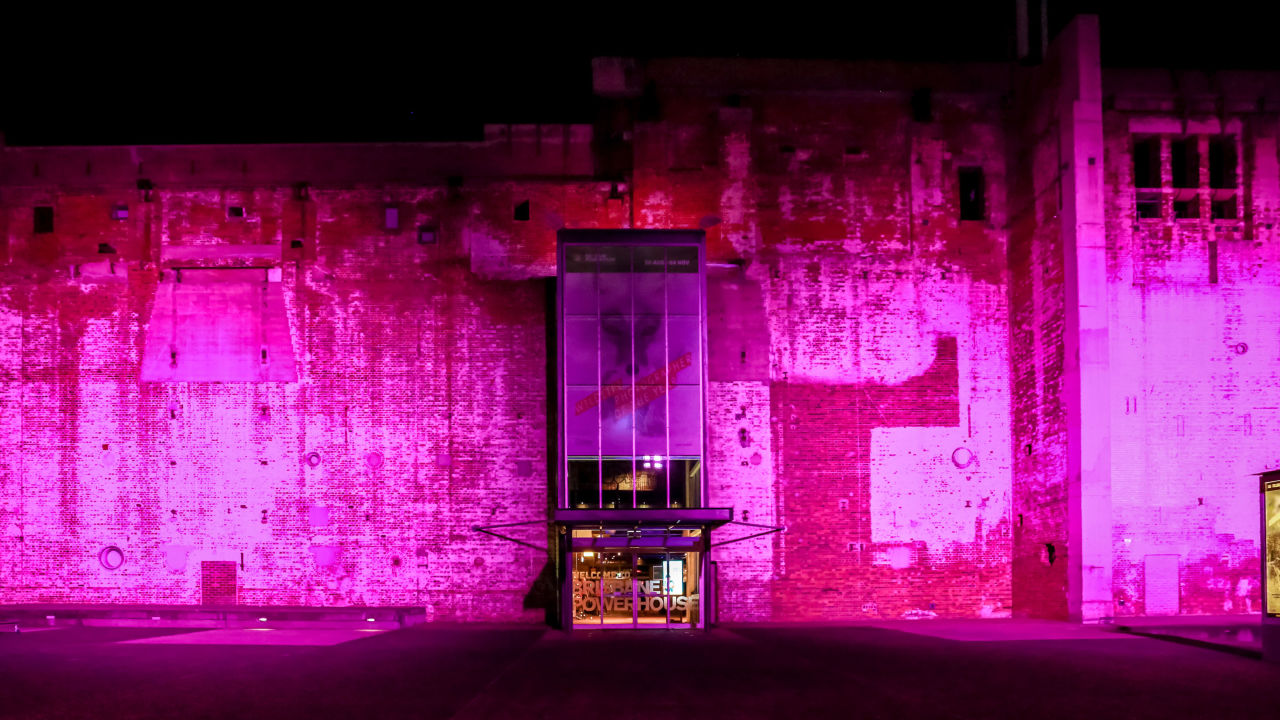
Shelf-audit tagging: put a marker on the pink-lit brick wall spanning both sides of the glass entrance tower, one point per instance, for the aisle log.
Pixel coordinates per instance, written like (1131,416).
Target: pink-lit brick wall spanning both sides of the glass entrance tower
(860,363)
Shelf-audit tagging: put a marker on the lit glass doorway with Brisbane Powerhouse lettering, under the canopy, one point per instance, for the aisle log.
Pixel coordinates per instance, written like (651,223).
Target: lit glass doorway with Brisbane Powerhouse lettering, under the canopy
(637,589)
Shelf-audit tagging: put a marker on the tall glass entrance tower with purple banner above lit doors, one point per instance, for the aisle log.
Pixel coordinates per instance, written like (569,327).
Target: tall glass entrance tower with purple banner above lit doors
(632,489)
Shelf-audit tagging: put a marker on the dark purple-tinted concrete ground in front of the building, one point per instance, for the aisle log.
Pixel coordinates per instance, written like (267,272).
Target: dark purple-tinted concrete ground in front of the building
(912,669)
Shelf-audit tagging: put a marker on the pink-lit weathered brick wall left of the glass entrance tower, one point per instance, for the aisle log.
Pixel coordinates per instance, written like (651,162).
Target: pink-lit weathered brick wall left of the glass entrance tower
(422,390)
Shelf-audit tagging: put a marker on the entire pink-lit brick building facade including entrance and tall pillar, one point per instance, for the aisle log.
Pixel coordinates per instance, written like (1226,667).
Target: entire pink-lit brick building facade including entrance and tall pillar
(967,341)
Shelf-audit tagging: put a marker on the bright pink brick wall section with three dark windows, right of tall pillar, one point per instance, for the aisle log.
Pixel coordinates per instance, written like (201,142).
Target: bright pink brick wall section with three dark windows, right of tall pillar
(1195,413)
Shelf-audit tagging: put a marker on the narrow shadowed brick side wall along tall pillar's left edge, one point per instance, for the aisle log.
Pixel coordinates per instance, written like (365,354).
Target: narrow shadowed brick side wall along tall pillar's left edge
(1036,325)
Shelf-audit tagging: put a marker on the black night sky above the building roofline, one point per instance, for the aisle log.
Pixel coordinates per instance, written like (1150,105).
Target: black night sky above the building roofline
(237,78)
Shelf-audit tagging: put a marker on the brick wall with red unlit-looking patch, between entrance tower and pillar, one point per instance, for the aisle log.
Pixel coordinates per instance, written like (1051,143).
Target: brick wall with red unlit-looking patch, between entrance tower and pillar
(862,345)
